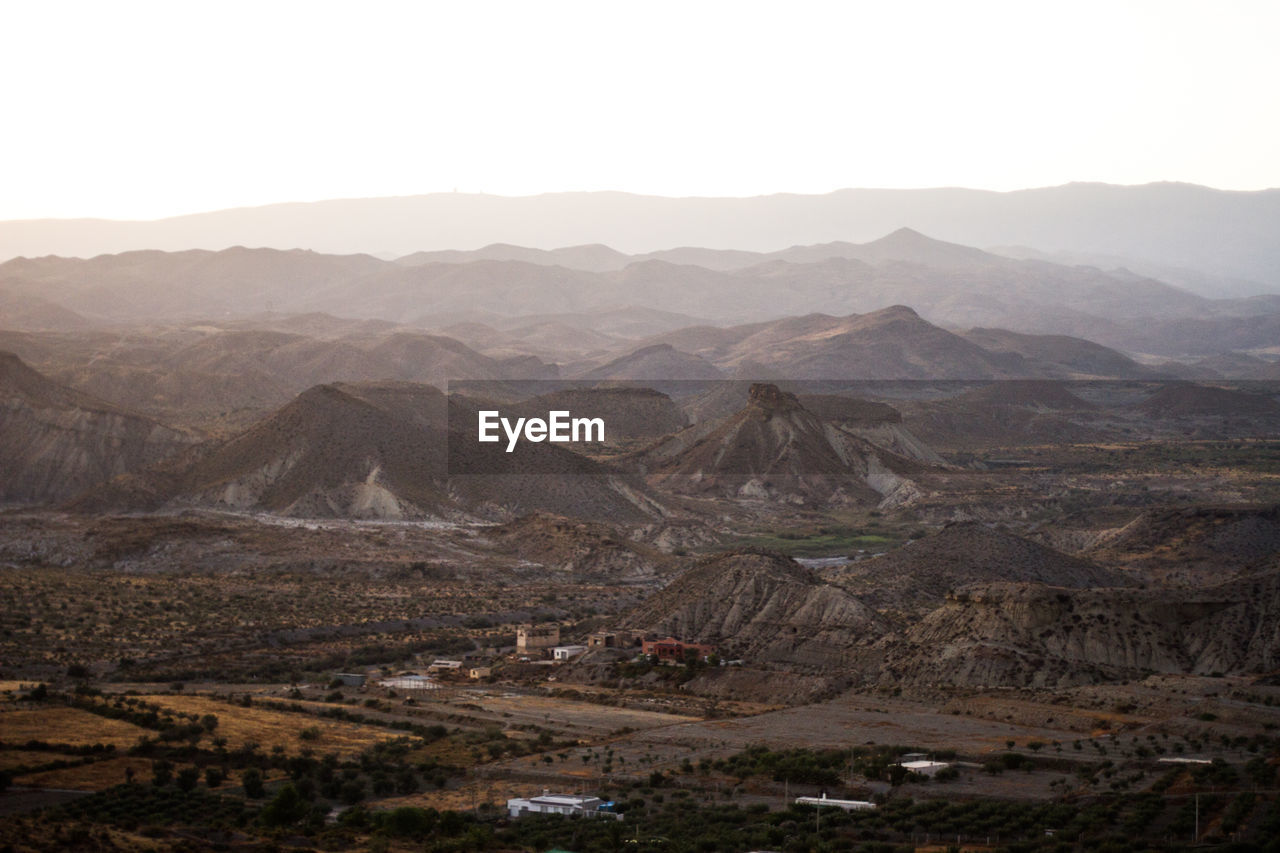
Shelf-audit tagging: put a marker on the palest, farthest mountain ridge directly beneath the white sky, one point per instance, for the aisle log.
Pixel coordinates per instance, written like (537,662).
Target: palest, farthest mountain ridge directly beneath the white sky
(1173,225)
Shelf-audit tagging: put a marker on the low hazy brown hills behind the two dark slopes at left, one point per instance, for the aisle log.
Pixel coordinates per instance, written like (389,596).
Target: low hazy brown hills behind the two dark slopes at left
(218,376)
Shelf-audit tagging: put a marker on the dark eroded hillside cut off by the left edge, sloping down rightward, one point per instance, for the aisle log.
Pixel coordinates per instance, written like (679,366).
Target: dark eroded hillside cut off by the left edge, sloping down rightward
(57,443)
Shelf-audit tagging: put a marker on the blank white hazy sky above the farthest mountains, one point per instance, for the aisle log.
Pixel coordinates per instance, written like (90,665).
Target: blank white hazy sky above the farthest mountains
(150,110)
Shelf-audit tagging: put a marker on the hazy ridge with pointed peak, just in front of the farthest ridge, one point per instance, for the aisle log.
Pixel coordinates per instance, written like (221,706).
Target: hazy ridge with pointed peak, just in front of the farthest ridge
(945,282)
